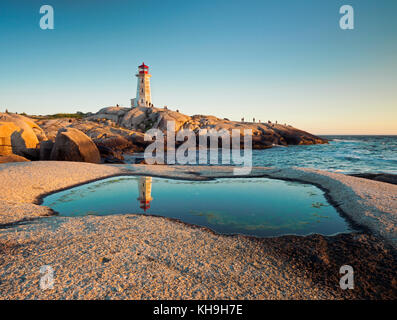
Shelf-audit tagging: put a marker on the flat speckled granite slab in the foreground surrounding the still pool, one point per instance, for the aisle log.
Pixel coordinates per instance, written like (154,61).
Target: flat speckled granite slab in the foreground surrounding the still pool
(145,257)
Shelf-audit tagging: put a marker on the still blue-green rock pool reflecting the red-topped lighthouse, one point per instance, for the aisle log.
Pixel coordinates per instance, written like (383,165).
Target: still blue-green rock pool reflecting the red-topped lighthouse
(253,206)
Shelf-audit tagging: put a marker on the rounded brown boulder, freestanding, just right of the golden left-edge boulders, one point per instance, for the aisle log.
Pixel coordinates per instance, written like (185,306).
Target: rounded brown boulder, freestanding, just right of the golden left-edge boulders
(73,145)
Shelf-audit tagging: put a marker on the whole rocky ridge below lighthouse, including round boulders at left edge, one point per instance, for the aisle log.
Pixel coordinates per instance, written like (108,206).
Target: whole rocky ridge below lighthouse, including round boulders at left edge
(105,137)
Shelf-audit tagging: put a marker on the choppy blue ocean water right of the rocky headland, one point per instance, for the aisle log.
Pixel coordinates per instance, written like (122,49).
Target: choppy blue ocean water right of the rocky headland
(344,154)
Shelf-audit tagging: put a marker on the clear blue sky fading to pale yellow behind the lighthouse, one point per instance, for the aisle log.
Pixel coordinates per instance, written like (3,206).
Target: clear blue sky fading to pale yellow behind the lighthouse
(272,60)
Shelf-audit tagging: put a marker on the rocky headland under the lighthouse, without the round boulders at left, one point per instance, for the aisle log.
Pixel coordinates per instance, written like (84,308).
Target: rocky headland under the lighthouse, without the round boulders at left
(123,124)
